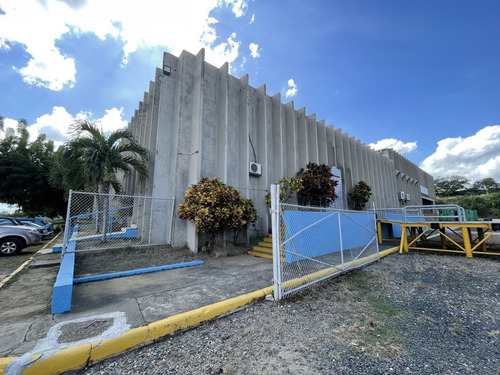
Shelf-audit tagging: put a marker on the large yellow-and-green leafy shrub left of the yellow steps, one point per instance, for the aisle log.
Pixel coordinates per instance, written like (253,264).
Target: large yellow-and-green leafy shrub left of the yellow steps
(214,206)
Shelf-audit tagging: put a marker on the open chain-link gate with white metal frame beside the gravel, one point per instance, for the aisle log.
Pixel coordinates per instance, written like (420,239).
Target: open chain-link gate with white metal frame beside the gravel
(311,244)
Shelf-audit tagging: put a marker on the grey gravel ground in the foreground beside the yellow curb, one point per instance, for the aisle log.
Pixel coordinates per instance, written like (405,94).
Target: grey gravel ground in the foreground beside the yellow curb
(416,313)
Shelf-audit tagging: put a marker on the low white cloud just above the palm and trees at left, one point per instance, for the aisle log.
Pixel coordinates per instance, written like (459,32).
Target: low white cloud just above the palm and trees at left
(56,125)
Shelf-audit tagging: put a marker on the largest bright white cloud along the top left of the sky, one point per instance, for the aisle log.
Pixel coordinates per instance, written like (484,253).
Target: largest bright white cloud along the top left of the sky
(174,25)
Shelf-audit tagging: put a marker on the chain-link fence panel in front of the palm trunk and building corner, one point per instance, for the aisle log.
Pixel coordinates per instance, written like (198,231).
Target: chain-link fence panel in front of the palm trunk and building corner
(97,221)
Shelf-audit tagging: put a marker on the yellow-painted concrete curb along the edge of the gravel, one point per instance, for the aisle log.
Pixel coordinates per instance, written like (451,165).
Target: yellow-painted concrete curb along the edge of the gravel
(77,357)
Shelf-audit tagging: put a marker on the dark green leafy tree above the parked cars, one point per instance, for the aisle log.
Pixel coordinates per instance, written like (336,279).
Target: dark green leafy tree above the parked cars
(24,174)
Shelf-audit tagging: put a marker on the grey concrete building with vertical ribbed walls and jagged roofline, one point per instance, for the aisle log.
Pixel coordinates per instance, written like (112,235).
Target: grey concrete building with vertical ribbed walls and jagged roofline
(198,120)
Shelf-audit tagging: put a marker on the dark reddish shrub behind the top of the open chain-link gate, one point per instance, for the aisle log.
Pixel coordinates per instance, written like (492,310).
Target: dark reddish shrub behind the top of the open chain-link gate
(318,187)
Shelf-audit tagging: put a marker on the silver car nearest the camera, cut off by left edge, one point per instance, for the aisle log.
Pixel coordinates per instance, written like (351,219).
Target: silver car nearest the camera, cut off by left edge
(14,238)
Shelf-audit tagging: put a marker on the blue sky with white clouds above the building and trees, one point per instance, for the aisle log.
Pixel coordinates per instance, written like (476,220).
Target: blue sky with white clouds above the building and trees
(420,77)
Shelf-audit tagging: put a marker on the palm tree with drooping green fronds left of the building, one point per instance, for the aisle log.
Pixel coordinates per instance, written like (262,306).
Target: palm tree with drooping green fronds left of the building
(99,156)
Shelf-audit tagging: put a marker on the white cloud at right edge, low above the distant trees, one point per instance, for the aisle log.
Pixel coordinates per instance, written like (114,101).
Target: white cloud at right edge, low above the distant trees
(474,157)
